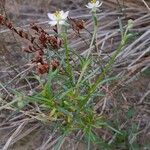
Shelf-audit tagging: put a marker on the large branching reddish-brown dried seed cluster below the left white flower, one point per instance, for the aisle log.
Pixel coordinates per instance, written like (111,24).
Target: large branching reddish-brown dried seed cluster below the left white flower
(38,45)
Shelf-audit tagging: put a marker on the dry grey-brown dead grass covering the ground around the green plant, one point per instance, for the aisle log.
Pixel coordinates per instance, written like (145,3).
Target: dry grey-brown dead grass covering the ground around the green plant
(128,99)
